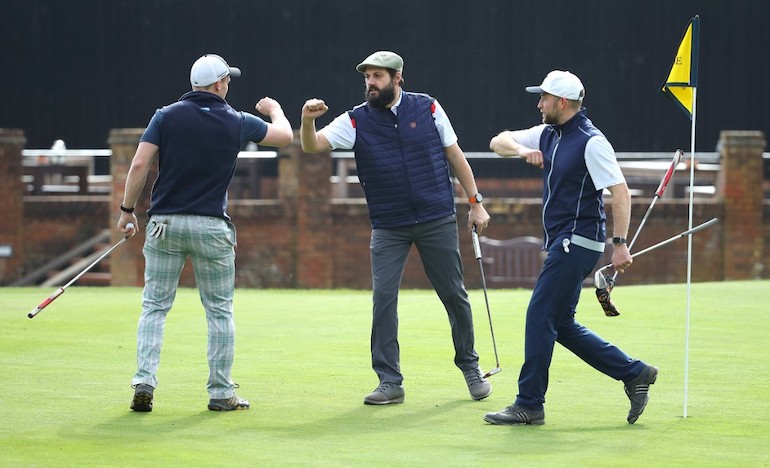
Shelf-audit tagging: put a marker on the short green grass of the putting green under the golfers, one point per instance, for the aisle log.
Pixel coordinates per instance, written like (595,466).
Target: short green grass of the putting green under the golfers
(302,359)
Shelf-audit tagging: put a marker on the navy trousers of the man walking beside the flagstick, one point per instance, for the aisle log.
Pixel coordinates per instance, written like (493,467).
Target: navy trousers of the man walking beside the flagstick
(551,319)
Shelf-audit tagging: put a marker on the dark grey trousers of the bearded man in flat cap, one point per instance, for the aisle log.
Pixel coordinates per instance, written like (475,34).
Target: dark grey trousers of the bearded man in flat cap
(438,244)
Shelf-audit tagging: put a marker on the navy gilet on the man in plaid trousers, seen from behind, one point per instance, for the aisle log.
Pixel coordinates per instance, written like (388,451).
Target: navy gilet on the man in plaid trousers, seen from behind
(199,146)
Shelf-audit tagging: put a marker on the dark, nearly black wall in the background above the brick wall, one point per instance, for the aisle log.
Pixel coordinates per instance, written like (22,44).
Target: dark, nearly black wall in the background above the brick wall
(75,69)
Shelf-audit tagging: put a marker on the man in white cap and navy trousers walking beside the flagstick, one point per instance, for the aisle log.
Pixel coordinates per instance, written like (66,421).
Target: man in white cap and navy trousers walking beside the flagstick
(578,164)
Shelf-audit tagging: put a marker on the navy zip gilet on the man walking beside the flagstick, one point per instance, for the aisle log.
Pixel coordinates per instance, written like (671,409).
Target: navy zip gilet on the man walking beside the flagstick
(571,203)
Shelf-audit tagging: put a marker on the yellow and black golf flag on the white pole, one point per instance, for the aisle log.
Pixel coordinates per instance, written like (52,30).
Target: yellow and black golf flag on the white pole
(683,77)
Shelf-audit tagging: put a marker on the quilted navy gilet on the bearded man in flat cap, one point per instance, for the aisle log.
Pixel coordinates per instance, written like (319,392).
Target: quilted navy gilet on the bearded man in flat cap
(401,163)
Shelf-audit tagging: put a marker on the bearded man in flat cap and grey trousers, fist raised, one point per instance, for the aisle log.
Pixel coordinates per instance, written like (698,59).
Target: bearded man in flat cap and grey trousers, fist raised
(404,146)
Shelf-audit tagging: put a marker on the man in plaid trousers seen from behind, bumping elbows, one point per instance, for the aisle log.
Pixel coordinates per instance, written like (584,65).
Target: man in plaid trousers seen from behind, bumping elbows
(196,141)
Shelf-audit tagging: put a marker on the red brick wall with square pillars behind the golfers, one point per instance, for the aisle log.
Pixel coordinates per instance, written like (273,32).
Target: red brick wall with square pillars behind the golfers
(304,239)
